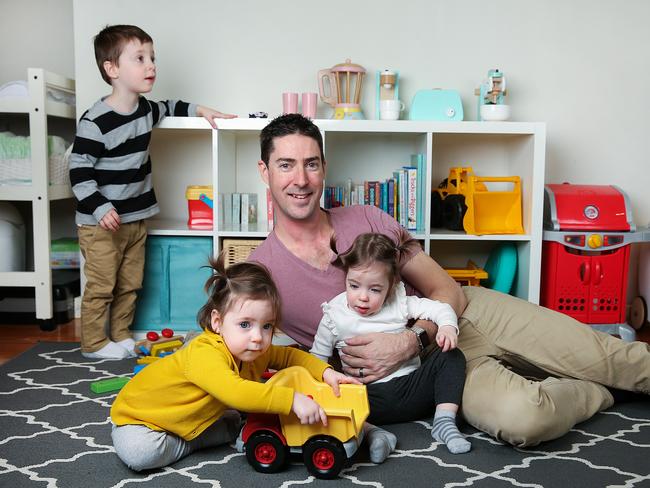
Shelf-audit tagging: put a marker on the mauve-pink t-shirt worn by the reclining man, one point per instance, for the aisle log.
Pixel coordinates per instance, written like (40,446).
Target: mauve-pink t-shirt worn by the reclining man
(304,288)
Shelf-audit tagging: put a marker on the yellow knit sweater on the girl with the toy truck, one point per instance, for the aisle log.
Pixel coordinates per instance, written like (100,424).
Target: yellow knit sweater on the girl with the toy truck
(186,392)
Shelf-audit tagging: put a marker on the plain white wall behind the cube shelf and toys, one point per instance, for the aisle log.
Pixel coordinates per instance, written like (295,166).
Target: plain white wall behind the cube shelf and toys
(579,66)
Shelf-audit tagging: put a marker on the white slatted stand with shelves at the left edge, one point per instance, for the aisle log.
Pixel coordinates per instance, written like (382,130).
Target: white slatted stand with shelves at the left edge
(40,193)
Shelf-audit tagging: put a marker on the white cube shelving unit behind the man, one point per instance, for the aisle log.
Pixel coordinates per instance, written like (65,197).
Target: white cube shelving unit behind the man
(361,150)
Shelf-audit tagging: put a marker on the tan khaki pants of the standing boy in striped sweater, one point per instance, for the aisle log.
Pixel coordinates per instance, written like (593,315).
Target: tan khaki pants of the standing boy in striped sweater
(114,267)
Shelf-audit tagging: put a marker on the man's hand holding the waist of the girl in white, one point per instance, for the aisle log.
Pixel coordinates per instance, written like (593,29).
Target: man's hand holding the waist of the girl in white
(378,354)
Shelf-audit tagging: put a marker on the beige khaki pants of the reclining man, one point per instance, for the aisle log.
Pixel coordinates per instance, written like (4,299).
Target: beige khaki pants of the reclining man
(575,362)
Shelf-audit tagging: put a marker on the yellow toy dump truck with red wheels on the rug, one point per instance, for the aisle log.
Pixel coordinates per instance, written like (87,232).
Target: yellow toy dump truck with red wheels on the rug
(268,439)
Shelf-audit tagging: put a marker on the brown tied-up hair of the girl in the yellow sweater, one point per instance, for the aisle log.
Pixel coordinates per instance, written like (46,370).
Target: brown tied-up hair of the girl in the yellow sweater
(240,280)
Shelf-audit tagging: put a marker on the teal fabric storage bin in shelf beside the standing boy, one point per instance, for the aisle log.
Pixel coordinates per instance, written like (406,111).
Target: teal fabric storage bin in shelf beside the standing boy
(172,290)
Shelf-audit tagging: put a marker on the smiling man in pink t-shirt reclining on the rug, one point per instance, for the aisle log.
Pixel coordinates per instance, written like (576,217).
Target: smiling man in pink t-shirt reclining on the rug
(574,364)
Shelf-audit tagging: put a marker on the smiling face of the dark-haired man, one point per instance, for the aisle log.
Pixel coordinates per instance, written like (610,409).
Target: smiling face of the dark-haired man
(295,176)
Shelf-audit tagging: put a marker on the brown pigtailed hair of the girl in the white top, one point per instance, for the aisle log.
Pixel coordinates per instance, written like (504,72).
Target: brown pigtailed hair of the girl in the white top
(374,247)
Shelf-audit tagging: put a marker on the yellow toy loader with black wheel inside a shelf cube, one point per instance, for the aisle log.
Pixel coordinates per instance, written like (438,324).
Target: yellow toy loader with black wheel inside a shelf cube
(463,202)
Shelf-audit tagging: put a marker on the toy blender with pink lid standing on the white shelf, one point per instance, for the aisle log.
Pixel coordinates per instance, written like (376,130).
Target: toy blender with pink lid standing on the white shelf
(342,90)
